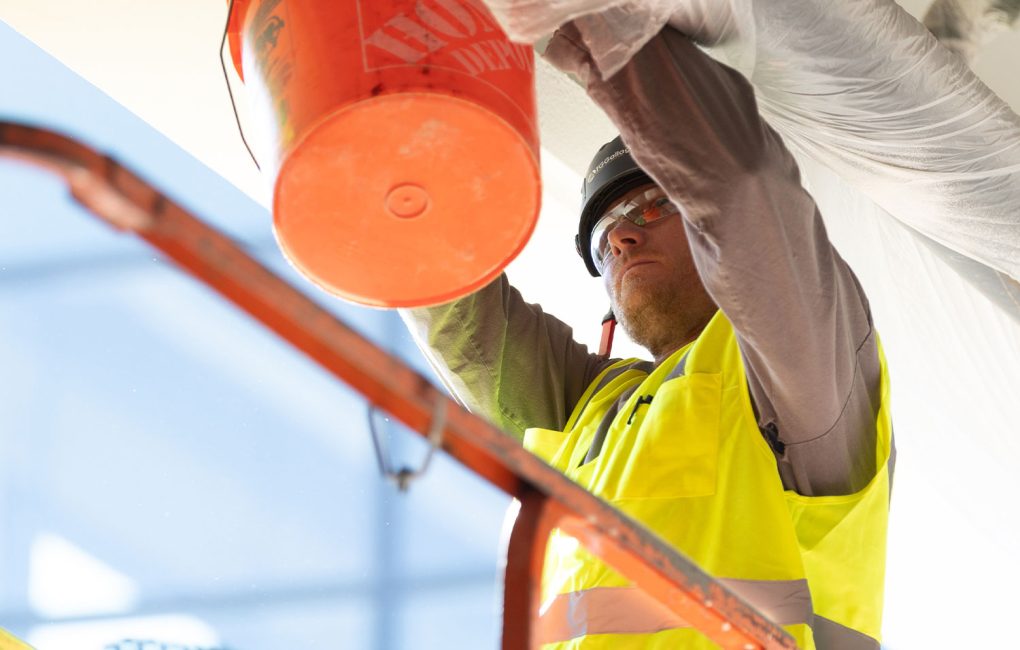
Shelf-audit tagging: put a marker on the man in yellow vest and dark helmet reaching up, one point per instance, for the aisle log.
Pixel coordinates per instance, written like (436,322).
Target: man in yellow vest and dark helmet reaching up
(758,442)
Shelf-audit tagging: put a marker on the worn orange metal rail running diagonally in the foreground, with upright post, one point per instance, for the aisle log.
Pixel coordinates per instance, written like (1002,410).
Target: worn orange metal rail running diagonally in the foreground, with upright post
(548,499)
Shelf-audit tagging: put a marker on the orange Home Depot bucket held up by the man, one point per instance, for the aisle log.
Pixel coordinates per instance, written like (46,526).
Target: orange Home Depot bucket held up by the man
(401,137)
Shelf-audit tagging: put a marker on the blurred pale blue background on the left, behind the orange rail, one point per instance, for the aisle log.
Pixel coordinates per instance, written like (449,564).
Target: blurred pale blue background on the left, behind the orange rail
(170,471)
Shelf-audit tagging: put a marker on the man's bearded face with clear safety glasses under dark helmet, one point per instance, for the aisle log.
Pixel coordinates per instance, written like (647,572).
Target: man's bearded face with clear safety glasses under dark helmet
(653,284)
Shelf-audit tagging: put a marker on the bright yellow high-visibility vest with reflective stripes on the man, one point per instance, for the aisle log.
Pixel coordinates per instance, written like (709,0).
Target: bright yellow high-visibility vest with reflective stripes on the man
(685,457)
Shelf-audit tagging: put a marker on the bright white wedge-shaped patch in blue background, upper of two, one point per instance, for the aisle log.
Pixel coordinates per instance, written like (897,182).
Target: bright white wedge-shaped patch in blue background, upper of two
(66,581)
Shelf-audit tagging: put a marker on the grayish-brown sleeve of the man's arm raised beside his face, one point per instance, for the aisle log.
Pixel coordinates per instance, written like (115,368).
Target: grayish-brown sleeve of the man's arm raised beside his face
(802,320)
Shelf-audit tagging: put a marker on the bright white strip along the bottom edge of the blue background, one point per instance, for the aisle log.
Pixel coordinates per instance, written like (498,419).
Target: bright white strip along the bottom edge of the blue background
(170,631)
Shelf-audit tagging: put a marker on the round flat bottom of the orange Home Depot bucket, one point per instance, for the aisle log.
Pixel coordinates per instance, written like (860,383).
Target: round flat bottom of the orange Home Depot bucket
(406,201)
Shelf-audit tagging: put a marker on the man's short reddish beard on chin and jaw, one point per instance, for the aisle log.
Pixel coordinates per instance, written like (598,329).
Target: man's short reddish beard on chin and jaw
(653,316)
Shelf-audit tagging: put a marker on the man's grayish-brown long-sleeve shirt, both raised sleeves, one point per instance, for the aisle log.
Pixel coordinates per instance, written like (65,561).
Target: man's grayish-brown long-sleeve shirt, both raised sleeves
(801,318)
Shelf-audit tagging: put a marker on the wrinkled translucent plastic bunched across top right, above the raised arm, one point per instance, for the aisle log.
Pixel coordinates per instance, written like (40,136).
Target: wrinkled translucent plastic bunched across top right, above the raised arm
(858,86)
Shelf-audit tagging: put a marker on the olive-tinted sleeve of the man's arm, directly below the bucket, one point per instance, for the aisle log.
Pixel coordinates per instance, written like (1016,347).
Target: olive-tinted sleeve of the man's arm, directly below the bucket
(505,360)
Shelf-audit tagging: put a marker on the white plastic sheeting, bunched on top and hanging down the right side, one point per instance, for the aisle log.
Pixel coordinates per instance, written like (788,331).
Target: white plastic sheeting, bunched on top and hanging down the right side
(915,166)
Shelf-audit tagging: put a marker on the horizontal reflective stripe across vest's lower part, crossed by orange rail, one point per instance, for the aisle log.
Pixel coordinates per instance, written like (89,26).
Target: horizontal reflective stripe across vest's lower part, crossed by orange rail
(630,611)
